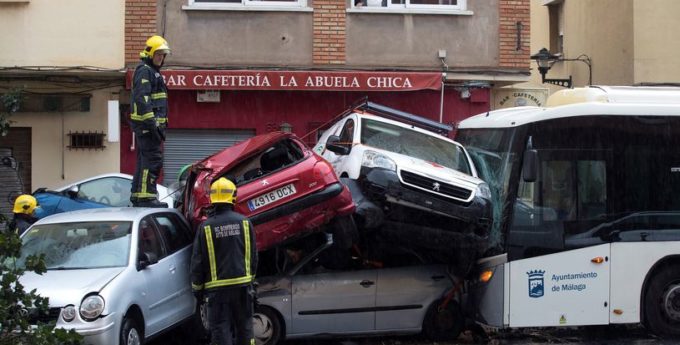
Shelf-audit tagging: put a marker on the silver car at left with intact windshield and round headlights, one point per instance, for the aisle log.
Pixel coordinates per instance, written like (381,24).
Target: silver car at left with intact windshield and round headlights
(115,275)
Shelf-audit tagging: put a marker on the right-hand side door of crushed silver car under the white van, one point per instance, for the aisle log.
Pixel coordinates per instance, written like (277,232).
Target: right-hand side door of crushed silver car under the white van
(404,294)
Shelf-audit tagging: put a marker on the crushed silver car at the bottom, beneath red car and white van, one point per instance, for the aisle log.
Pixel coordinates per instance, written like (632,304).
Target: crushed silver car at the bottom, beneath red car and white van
(310,300)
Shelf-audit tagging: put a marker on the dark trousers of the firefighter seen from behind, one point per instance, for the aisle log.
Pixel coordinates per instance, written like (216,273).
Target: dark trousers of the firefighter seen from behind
(230,315)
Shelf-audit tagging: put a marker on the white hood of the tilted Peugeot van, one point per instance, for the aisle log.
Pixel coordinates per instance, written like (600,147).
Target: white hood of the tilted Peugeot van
(431,169)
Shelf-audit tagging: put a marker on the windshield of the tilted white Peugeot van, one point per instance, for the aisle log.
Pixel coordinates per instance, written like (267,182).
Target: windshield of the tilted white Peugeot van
(415,144)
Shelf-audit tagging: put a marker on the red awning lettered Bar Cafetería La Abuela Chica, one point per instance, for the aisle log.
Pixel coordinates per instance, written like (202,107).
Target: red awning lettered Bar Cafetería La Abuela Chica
(298,80)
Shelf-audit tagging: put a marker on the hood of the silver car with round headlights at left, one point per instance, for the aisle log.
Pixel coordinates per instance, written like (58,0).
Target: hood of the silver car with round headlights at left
(65,287)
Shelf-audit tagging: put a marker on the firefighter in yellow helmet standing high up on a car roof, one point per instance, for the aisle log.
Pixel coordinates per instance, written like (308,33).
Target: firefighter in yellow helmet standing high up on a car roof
(149,118)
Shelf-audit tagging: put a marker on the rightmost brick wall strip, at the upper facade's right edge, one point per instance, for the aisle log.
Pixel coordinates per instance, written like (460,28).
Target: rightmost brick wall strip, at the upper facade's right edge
(511,12)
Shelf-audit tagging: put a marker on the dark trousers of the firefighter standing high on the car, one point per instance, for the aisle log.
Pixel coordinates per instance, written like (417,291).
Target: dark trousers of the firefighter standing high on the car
(149,164)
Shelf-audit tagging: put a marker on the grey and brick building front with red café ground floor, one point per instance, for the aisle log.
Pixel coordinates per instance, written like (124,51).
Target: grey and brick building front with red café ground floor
(243,67)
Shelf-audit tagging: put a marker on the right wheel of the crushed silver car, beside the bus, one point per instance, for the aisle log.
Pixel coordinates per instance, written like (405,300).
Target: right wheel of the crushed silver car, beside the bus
(443,323)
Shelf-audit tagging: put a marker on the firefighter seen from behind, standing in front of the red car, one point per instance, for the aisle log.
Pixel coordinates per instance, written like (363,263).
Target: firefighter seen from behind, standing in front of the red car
(223,266)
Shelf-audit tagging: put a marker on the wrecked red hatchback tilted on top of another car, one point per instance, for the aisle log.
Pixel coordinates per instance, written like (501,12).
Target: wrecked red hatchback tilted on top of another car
(285,189)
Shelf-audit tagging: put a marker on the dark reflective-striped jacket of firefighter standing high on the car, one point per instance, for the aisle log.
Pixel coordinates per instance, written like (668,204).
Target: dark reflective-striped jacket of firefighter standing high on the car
(149,104)
